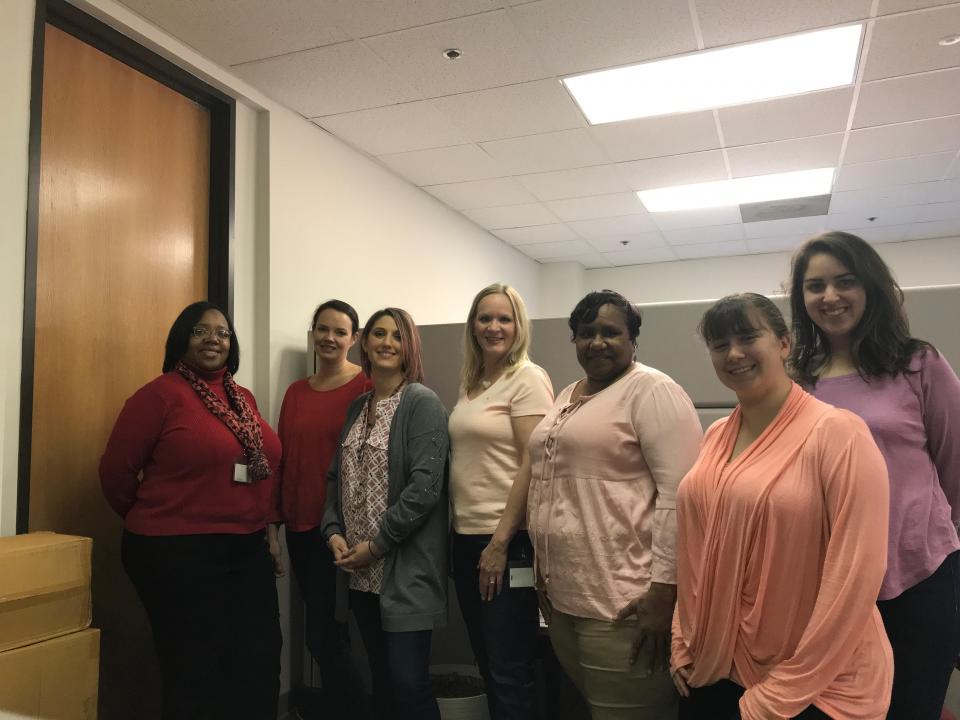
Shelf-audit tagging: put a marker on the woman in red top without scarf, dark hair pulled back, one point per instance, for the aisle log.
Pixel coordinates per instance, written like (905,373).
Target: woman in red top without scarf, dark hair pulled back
(311,418)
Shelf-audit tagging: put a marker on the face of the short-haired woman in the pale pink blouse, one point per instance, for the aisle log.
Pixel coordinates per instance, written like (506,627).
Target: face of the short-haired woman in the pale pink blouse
(604,347)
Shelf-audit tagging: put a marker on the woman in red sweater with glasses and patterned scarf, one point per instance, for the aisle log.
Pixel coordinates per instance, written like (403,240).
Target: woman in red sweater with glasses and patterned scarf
(191,469)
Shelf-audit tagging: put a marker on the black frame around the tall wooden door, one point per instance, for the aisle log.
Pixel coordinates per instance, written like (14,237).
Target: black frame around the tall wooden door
(222,108)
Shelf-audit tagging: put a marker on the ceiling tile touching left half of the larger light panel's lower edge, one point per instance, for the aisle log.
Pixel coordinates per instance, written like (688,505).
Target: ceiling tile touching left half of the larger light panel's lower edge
(658,136)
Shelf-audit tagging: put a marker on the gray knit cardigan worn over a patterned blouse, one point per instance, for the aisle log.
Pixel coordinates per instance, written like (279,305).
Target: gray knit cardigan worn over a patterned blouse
(413,533)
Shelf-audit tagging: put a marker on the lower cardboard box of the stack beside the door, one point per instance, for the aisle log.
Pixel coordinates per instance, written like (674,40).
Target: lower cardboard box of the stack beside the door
(55,679)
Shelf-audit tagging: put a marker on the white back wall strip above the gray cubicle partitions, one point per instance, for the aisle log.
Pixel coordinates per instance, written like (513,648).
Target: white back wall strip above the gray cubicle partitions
(915,263)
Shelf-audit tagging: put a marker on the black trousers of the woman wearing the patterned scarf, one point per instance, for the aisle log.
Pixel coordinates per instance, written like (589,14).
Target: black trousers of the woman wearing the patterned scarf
(212,605)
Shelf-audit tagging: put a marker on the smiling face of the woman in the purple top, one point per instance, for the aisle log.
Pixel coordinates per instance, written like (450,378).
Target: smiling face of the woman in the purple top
(833,296)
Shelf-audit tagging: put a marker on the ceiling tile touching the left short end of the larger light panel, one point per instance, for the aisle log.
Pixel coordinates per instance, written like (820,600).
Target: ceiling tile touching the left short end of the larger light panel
(512,111)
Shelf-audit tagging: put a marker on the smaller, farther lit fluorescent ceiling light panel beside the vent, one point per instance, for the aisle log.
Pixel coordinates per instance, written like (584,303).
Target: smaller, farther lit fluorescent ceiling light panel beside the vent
(724,193)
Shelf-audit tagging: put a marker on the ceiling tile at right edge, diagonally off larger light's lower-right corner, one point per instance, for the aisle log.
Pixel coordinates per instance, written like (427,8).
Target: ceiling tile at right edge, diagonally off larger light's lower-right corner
(914,97)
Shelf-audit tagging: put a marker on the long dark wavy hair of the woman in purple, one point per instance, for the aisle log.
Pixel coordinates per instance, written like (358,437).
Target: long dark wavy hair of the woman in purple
(880,344)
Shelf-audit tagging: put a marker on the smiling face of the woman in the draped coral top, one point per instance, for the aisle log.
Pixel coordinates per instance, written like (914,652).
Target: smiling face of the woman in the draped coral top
(750,362)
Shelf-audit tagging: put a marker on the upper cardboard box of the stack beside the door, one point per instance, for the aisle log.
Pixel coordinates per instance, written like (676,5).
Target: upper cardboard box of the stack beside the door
(44,587)
